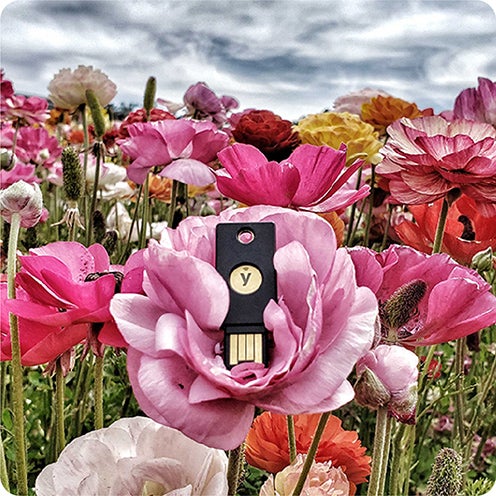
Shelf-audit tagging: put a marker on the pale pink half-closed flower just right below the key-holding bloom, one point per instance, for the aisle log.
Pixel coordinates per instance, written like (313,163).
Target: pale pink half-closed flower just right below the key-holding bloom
(387,376)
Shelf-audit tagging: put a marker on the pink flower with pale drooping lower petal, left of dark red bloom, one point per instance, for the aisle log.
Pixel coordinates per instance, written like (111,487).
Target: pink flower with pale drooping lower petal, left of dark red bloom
(182,147)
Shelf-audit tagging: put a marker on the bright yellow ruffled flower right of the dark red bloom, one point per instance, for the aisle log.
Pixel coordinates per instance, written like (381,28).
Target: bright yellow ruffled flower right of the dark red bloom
(334,128)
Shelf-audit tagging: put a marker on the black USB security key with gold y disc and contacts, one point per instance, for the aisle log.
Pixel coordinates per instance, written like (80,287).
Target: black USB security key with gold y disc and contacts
(244,258)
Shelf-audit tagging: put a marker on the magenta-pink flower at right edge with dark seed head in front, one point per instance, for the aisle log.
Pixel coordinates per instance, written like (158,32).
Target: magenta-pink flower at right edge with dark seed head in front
(424,299)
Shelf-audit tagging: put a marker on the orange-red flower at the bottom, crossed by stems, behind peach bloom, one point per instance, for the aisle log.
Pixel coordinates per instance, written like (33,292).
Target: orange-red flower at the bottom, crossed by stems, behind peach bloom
(267,445)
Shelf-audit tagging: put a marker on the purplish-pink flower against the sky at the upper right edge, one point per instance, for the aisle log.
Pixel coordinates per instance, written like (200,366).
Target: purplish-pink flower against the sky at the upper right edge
(477,104)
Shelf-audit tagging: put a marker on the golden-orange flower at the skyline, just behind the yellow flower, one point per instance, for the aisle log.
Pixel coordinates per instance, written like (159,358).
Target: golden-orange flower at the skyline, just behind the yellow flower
(384,110)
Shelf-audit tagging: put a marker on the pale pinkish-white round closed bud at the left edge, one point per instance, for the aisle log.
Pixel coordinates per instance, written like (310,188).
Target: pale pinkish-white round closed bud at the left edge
(24,199)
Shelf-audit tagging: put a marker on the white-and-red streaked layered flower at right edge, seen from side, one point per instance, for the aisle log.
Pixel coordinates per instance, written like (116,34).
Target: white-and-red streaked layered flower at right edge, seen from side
(428,157)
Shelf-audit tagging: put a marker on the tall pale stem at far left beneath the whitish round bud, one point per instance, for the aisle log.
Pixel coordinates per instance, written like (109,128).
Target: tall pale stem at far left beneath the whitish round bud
(17,373)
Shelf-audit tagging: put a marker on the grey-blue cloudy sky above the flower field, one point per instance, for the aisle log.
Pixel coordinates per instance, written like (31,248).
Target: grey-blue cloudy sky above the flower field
(291,56)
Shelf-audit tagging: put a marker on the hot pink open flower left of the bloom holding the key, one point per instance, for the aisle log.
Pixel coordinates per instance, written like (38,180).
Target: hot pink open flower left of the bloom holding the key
(63,285)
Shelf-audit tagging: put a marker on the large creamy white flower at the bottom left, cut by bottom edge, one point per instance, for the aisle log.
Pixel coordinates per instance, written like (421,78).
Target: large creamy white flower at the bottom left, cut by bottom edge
(135,456)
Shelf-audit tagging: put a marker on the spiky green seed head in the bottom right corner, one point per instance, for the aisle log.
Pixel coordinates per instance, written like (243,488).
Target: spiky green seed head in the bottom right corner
(447,476)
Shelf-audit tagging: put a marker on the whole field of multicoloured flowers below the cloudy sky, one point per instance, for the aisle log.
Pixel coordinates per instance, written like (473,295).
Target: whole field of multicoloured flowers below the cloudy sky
(200,299)
